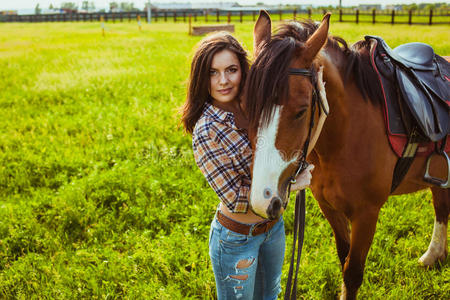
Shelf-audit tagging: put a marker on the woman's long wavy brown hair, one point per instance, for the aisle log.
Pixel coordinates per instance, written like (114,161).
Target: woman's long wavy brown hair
(199,79)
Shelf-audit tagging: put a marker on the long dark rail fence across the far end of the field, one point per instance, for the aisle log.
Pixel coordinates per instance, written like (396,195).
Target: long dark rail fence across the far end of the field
(431,17)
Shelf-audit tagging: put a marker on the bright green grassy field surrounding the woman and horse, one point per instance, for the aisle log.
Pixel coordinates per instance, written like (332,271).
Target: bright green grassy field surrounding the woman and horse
(100,195)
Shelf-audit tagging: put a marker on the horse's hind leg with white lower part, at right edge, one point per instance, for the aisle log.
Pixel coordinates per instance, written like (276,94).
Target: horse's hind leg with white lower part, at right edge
(437,250)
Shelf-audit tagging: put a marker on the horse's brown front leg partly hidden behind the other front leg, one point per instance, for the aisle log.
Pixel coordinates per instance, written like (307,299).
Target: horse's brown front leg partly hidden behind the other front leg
(339,224)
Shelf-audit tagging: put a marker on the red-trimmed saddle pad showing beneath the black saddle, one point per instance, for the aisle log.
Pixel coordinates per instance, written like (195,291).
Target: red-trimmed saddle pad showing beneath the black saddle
(395,127)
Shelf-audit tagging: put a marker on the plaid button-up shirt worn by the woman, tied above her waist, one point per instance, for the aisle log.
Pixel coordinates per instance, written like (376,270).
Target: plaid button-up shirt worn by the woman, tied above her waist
(223,154)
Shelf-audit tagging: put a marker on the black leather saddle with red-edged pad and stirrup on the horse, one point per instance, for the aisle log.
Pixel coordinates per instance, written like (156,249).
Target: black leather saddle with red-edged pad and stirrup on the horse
(415,83)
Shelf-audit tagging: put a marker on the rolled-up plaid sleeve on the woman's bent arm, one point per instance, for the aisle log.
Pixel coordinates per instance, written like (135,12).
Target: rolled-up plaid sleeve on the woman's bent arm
(232,187)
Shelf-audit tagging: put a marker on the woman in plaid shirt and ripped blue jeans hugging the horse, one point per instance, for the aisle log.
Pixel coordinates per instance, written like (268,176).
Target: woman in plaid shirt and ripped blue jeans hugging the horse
(246,251)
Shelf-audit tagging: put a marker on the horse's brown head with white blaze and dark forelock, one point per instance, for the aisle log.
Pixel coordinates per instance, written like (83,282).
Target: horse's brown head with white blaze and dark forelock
(280,91)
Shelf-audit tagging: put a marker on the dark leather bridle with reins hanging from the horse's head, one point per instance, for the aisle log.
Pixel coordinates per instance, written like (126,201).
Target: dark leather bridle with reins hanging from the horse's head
(299,221)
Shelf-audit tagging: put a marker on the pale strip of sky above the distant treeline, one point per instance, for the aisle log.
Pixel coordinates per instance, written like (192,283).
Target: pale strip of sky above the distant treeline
(28,4)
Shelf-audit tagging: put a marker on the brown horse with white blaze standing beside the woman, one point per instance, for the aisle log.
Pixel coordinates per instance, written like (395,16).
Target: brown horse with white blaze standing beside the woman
(353,160)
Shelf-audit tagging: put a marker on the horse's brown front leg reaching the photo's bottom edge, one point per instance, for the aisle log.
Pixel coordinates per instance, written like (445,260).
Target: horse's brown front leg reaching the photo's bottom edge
(362,232)
